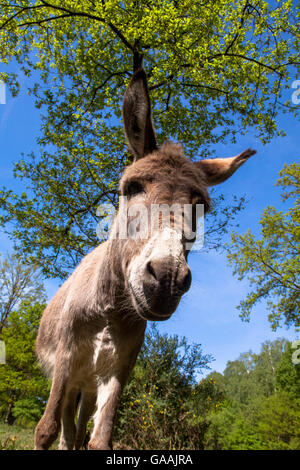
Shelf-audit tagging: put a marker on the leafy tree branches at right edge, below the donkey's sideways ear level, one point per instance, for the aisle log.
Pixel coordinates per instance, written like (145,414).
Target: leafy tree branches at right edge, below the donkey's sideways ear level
(272,263)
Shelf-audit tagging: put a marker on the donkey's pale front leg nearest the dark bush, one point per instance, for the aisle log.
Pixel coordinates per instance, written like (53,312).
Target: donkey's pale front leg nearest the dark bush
(108,397)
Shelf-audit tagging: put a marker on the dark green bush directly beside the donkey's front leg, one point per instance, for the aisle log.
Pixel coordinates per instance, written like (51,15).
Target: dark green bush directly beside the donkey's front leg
(160,406)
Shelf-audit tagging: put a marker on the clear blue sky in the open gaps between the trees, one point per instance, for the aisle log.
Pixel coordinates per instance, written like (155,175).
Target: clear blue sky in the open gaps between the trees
(207,313)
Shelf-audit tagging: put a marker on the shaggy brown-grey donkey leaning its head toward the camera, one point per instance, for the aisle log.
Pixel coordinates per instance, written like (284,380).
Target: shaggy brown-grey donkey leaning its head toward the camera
(92,330)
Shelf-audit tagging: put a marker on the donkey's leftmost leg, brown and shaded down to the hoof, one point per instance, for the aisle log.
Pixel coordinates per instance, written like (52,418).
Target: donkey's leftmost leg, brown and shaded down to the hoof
(49,425)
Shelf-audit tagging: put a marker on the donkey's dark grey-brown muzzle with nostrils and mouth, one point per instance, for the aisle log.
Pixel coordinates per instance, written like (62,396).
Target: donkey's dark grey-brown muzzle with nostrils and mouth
(165,281)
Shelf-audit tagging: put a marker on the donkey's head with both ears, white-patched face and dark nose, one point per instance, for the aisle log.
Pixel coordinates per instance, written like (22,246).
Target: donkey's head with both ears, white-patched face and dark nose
(154,263)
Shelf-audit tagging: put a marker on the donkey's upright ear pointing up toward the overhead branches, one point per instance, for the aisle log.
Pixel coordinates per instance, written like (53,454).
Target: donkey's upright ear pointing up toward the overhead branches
(138,125)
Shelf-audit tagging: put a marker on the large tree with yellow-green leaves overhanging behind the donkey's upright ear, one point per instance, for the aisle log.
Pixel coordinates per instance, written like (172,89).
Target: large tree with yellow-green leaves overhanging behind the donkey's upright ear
(215,69)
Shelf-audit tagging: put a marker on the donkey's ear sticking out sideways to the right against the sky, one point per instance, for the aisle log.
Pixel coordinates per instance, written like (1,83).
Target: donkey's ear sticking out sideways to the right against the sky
(218,170)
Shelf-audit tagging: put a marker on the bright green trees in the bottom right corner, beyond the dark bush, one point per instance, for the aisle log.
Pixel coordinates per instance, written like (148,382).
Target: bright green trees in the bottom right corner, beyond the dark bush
(260,399)
